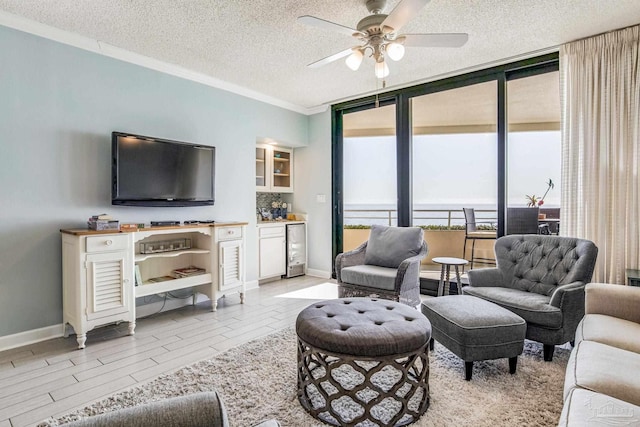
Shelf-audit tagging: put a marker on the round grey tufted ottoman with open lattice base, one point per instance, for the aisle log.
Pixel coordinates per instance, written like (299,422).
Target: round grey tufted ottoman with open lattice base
(363,360)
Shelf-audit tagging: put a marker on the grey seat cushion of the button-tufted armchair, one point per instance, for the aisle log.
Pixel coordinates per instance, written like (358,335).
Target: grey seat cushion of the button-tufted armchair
(532,307)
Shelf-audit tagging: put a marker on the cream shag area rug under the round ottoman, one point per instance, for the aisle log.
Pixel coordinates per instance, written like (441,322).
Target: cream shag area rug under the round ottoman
(258,381)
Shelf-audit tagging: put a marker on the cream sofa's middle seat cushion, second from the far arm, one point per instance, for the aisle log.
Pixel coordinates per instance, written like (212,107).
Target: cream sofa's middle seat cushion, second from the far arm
(604,369)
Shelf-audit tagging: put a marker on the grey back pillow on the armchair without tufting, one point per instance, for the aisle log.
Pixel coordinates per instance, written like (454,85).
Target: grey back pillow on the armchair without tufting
(389,246)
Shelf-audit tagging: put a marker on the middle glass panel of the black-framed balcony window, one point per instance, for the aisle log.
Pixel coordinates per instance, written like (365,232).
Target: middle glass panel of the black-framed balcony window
(454,155)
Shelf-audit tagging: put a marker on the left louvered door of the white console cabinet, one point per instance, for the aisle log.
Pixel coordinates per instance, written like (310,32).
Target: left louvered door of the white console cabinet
(108,284)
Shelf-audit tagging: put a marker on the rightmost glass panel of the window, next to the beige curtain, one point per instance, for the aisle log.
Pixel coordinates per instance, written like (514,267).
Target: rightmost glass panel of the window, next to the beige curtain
(533,154)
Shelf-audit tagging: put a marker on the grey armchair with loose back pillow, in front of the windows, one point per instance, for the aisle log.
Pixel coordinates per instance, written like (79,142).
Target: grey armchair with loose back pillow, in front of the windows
(386,266)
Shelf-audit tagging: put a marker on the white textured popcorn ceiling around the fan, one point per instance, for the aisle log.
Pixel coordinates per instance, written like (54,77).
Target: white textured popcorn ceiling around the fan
(259,45)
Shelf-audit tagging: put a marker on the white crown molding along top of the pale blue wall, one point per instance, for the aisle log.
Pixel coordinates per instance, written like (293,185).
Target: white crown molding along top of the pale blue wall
(102,48)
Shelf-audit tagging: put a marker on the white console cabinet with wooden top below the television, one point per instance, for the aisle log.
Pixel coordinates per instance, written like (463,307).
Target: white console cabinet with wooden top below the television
(98,270)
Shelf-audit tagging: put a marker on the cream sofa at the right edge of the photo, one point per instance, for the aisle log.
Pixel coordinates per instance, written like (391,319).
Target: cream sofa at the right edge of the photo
(602,382)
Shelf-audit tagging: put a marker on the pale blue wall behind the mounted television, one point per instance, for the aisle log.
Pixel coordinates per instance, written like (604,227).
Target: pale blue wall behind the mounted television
(58,107)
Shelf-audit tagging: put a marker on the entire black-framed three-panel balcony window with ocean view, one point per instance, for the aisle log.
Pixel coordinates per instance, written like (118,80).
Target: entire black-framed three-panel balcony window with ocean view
(451,147)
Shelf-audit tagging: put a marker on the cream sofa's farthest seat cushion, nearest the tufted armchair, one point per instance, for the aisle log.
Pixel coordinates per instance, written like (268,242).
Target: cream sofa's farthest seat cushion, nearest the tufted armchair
(609,330)
